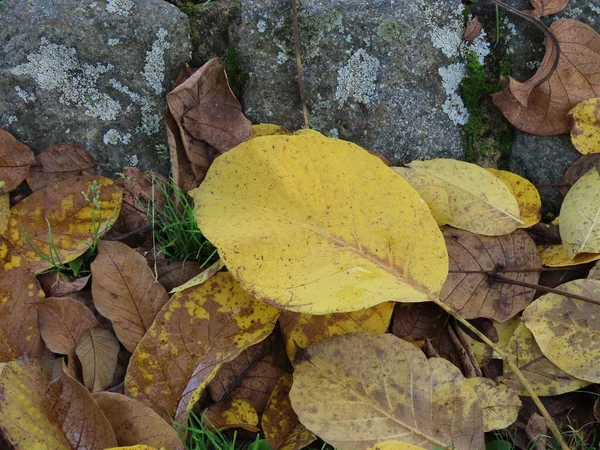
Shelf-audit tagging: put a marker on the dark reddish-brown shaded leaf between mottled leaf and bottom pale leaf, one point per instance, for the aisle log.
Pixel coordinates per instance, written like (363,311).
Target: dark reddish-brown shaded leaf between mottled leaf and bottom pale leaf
(252,375)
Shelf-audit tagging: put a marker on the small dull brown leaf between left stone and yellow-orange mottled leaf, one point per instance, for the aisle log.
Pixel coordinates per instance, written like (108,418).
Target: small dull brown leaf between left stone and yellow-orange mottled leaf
(57,163)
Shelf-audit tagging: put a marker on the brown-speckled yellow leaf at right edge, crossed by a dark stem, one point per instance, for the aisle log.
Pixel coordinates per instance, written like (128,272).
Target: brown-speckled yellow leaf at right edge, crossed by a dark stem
(567,329)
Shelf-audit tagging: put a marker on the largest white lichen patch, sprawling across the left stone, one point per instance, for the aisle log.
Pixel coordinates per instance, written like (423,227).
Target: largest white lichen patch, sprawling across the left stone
(56,67)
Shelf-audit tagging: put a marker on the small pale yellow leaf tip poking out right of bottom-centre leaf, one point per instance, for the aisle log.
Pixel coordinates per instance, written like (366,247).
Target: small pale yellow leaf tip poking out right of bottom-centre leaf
(500,405)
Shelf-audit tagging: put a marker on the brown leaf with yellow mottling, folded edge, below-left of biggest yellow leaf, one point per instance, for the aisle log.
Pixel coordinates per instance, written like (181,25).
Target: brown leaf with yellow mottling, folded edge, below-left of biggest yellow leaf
(194,333)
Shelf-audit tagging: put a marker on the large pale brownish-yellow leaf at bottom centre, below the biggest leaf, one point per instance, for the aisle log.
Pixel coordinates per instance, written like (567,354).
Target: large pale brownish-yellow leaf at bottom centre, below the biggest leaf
(357,389)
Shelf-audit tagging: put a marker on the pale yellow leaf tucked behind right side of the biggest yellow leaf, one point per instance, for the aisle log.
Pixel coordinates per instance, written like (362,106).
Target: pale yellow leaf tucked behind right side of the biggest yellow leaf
(465,196)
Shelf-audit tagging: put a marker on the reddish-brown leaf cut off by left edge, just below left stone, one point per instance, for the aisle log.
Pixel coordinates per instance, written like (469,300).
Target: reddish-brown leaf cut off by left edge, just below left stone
(15,160)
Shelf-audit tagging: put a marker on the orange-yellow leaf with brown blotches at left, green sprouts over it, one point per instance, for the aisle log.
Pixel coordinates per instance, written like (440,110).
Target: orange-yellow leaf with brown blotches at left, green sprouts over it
(63,208)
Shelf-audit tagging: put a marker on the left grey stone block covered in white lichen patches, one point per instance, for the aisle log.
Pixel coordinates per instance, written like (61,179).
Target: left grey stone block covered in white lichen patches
(91,73)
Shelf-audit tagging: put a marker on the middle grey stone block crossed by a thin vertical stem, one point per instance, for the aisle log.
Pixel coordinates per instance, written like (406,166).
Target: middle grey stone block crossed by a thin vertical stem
(381,73)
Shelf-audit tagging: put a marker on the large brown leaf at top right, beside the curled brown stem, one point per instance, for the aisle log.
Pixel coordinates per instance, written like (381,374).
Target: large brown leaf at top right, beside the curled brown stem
(543,109)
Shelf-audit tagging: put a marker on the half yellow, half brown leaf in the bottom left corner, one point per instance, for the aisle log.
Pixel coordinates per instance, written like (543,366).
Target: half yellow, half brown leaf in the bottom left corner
(43,408)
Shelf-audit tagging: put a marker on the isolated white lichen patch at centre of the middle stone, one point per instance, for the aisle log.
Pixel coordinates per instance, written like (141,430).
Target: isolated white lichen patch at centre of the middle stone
(357,78)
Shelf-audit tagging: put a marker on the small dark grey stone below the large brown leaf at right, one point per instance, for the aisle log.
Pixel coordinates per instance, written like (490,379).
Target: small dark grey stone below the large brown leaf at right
(543,160)
